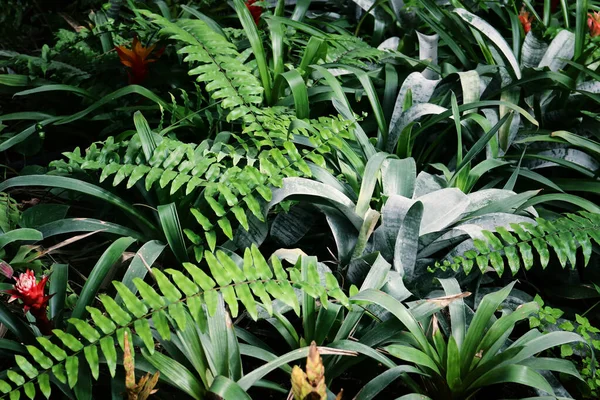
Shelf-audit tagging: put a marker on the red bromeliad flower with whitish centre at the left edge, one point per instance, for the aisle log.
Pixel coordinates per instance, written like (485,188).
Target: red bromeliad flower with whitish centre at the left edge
(31,293)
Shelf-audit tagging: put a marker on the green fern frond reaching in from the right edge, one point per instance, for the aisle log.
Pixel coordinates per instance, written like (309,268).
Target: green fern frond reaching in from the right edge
(563,236)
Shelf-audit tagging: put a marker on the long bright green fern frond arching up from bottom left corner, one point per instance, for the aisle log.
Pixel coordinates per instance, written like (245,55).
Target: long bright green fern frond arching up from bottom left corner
(253,284)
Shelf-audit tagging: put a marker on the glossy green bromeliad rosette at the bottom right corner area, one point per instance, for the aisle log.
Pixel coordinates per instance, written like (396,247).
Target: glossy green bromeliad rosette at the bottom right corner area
(469,356)
